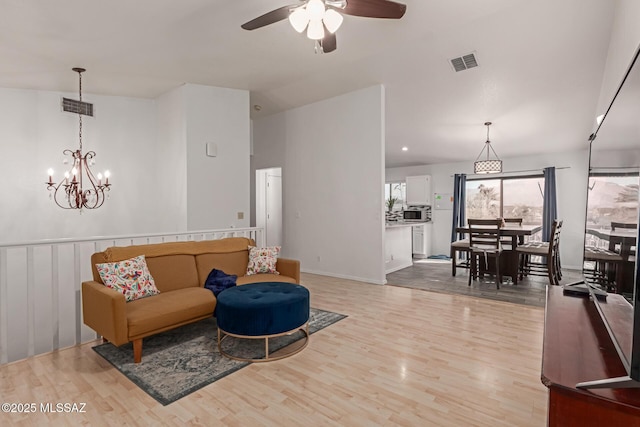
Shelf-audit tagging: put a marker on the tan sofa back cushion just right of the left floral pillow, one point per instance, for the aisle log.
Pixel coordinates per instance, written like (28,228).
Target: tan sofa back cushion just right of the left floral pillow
(173,272)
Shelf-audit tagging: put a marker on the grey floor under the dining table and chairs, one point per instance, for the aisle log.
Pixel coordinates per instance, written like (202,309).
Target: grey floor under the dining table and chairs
(435,276)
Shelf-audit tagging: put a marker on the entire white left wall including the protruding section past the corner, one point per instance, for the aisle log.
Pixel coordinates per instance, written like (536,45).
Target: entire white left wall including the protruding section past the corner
(161,179)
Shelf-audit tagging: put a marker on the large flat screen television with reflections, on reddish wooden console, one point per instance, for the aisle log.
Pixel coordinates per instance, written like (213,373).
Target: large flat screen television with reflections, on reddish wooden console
(614,165)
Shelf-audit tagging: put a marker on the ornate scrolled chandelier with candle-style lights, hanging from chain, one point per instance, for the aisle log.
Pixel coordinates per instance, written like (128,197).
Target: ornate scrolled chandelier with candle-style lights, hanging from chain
(80,188)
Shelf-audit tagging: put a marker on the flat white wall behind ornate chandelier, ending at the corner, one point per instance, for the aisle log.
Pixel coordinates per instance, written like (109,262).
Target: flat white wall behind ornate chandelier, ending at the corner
(33,133)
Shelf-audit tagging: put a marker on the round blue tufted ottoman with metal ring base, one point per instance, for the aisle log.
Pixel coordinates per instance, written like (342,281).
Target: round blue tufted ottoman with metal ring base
(263,311)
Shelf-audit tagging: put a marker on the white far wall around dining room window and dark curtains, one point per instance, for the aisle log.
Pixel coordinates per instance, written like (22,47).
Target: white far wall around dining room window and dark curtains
(570,184)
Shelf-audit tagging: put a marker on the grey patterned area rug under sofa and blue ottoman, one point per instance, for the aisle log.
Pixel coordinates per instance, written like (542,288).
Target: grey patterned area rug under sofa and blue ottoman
(178,362)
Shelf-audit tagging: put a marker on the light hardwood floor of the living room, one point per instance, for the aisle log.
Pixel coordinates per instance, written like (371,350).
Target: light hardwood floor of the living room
(403,357)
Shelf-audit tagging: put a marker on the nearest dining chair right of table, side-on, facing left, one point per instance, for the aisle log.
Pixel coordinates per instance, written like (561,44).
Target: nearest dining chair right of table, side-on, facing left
(542,258)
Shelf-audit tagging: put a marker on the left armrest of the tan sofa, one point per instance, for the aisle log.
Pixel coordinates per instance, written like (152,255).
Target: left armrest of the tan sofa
(104,311)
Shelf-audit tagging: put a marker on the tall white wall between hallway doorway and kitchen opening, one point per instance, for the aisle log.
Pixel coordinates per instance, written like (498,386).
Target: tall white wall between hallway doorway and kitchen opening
(332,159)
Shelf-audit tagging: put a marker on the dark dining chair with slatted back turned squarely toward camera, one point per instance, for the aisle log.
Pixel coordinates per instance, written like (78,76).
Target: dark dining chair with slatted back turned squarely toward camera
(484,243)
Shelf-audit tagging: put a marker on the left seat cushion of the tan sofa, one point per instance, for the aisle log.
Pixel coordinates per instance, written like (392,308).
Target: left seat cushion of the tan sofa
(168,310)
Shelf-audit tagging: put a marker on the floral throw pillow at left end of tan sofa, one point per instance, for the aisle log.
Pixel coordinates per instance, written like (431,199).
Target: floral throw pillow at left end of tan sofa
(130,277)
